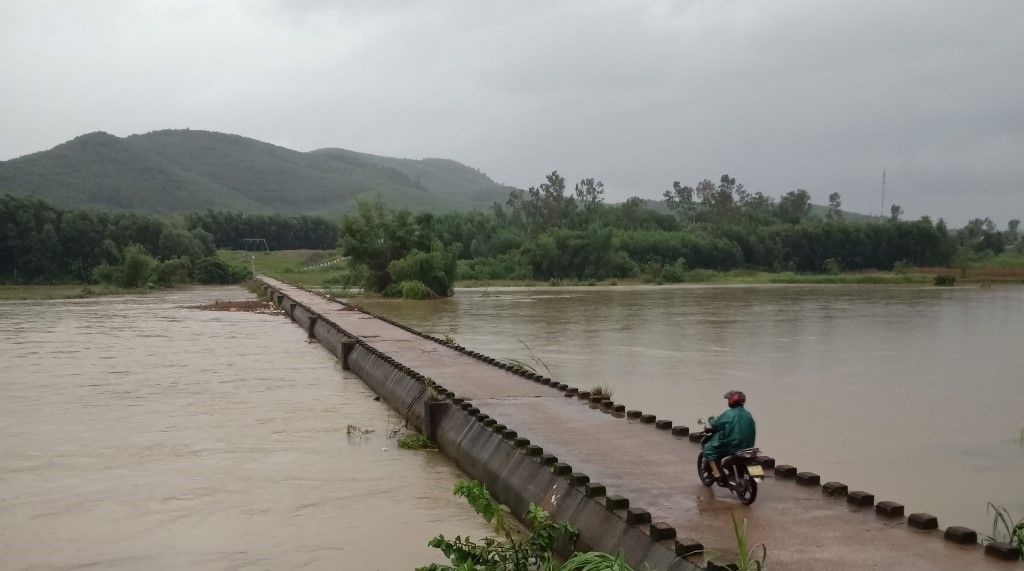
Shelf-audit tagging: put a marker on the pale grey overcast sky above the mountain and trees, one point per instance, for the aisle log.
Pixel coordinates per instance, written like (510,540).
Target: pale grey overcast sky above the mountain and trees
(782,95)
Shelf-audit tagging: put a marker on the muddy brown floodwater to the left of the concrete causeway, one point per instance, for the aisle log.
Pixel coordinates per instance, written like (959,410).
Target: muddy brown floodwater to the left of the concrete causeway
(137,434)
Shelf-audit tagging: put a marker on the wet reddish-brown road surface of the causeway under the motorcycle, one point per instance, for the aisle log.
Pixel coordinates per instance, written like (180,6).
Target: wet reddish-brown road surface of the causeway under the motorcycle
(802,528)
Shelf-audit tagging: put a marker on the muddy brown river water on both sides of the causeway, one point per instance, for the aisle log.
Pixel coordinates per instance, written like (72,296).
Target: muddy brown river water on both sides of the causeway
(137,433)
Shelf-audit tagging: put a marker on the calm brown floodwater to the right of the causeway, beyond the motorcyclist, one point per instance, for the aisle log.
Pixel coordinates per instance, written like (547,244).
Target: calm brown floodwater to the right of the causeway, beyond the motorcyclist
(916,394)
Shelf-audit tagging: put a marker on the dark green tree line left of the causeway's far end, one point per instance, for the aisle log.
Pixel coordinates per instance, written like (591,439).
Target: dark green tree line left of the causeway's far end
(41,244)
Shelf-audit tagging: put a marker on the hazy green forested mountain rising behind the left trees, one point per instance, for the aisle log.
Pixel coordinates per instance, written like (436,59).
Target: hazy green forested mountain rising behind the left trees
(184,170)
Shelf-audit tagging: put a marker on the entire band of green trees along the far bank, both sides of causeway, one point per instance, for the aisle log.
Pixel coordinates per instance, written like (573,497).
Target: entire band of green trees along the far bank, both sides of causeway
(550,232)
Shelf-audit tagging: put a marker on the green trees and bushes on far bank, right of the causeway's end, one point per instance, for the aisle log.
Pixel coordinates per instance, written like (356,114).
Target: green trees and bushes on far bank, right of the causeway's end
(553,232)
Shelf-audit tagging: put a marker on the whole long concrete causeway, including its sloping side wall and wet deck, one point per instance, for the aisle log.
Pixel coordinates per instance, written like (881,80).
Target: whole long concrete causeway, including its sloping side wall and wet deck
(627,480)
